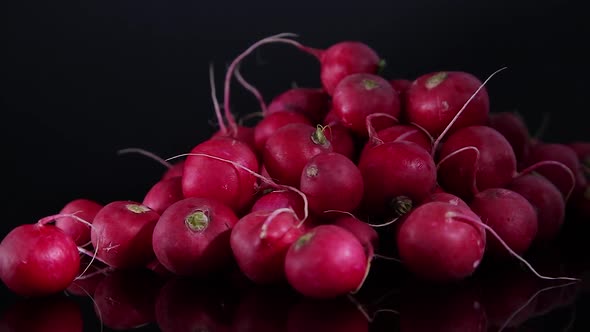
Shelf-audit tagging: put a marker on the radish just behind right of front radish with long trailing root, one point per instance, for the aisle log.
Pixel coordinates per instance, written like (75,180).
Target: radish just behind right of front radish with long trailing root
(510,215)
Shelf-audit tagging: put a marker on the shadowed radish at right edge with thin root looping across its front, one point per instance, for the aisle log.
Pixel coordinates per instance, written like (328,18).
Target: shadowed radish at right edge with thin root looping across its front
(563,154)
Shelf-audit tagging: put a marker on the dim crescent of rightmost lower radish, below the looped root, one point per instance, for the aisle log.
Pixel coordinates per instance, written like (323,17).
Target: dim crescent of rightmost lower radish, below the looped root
(547,201)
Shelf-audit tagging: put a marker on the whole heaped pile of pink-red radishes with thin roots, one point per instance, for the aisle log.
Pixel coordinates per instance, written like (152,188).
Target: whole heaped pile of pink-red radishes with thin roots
(329,179)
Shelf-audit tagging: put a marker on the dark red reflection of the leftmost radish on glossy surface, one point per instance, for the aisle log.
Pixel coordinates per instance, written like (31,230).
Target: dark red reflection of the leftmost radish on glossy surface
(44,314)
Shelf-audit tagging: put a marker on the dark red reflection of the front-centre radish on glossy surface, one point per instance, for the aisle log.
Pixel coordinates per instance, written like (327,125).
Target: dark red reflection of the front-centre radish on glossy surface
(333,315)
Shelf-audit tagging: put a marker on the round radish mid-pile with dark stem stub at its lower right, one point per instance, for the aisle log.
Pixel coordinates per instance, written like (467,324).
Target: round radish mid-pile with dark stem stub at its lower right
(396,174)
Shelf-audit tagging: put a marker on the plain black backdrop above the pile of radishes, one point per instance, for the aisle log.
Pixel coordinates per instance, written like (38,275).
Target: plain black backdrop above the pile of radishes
(80,80)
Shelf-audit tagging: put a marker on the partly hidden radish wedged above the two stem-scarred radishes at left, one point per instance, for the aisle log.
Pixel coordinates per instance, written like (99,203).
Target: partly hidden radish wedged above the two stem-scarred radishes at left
(163,194)
